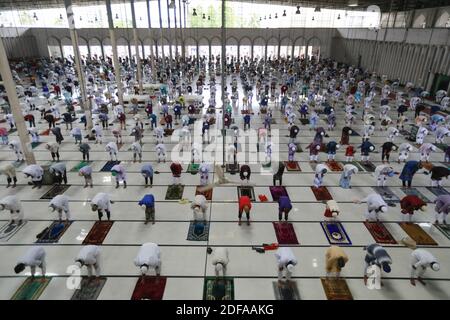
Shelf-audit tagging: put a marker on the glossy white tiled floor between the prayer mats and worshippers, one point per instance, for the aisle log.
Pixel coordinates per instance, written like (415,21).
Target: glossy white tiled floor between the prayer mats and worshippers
(186,263)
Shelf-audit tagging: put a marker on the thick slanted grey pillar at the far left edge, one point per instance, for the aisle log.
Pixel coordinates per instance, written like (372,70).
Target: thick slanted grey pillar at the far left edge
(16,109)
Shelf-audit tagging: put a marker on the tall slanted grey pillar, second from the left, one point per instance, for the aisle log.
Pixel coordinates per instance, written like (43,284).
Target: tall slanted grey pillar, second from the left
(84,103)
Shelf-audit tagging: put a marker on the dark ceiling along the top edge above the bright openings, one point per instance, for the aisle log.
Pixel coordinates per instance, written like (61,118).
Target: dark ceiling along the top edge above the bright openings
(385,5)
